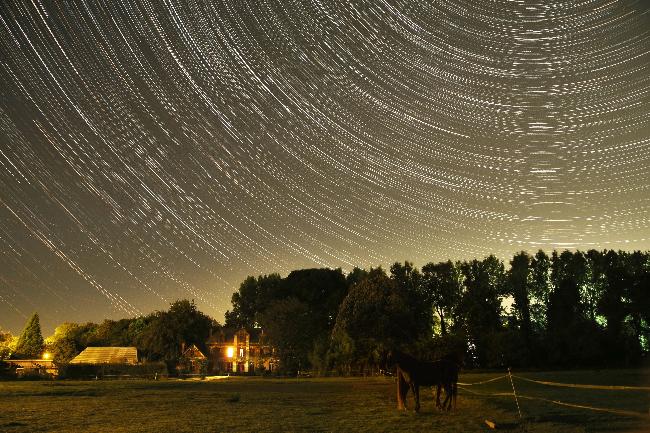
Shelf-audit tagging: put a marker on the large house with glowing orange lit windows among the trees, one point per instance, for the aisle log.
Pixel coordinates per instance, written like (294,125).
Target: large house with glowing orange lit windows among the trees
(241,352)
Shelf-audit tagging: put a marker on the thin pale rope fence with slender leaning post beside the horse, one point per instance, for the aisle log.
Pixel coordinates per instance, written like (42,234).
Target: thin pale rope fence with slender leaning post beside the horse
(516,396)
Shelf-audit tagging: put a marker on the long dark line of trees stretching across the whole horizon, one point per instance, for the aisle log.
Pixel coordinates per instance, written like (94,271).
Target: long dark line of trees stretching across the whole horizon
(567,310)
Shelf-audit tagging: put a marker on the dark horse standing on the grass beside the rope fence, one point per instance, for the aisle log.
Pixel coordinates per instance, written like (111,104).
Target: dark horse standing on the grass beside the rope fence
(412,373)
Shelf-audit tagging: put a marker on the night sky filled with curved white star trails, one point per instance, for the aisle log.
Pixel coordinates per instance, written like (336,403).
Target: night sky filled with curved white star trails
(157,150)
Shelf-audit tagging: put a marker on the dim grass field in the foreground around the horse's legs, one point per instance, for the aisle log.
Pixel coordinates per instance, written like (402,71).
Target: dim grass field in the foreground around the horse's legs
(329,404)
